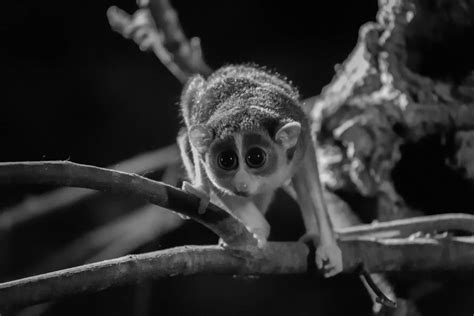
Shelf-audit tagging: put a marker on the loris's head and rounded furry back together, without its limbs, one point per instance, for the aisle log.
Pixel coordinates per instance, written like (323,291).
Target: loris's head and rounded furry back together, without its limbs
(247,125)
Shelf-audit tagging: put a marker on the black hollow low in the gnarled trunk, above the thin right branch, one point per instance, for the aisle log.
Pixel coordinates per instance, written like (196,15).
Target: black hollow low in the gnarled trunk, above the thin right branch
(425,181)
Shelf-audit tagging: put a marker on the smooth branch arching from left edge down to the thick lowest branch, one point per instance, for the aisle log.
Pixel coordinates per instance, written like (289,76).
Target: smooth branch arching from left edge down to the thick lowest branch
(225,225)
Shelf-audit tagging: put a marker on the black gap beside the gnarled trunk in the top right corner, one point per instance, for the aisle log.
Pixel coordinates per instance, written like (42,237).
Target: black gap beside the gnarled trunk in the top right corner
(439,40)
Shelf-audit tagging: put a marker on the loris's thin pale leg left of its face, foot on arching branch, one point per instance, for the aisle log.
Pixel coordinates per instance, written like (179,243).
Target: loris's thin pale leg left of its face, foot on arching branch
(198,185)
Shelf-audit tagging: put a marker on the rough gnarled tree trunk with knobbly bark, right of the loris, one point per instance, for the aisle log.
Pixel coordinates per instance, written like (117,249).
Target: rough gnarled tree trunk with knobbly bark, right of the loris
(410,77)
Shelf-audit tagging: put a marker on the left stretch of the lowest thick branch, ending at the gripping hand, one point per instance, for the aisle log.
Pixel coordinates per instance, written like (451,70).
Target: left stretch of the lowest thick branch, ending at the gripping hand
(187,260)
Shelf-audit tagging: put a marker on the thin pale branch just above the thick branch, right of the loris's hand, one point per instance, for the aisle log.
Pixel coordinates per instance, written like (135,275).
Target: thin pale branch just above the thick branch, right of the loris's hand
(408,226)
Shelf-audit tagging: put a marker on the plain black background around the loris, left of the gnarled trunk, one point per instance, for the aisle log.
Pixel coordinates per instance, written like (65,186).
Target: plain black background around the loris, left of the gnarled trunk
(73,89)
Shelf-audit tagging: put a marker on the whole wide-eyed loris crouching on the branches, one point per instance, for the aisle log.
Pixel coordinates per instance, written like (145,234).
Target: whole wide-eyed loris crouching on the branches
(246,135)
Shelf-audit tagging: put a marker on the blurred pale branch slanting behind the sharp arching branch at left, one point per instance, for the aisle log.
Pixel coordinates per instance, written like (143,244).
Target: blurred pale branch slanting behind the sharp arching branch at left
(37,206)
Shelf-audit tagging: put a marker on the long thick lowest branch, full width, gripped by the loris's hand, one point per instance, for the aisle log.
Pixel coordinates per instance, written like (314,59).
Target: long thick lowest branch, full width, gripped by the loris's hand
(276,258)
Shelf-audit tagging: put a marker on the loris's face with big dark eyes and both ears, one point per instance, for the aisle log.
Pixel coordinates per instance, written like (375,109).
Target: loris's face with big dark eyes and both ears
(250,162)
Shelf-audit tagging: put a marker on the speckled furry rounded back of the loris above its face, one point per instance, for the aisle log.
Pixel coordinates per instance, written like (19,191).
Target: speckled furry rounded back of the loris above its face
(241,98)
